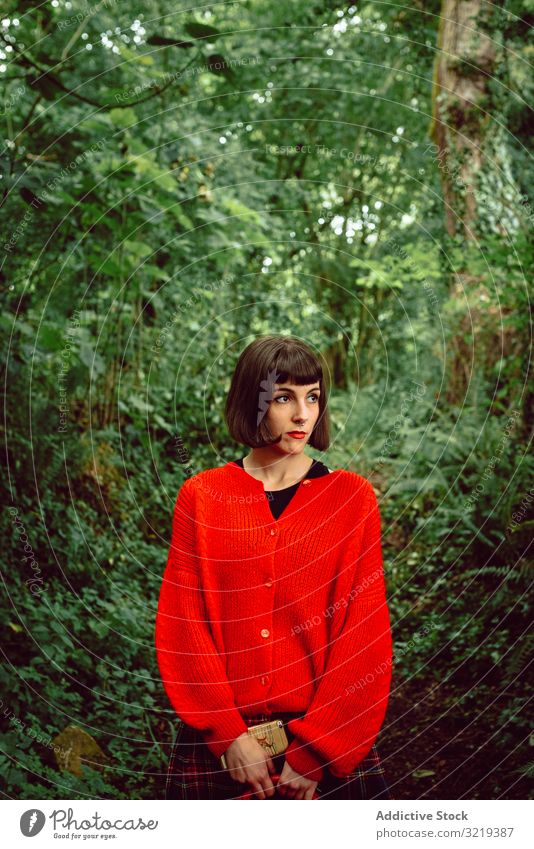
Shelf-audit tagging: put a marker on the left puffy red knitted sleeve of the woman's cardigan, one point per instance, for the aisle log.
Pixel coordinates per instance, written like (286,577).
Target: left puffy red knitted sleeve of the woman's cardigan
(191,668)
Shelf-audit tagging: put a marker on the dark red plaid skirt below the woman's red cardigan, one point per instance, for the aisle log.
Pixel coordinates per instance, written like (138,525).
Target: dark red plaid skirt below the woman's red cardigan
(195,773)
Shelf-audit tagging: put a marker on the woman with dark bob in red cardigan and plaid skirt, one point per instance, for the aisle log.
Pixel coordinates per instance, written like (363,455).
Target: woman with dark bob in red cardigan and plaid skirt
(273,602)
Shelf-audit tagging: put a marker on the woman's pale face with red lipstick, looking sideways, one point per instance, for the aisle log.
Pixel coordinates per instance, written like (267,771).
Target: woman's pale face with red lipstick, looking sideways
(293,409)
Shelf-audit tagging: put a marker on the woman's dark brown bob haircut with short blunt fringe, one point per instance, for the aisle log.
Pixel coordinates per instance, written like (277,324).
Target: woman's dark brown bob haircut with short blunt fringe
(267,360)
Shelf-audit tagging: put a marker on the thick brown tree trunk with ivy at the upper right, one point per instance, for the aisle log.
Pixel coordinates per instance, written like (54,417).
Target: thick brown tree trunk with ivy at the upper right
(463,129)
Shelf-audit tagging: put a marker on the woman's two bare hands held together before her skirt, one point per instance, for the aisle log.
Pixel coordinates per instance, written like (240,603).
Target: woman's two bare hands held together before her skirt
(248,762)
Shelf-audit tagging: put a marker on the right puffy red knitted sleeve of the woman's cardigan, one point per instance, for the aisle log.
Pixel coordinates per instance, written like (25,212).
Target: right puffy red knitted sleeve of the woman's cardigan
(350,701)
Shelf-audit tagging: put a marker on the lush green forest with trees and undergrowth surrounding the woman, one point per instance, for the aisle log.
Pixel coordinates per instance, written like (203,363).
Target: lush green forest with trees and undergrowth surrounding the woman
(177,180)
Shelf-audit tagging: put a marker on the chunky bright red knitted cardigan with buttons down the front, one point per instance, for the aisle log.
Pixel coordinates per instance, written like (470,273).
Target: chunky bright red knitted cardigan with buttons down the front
(259,616)
